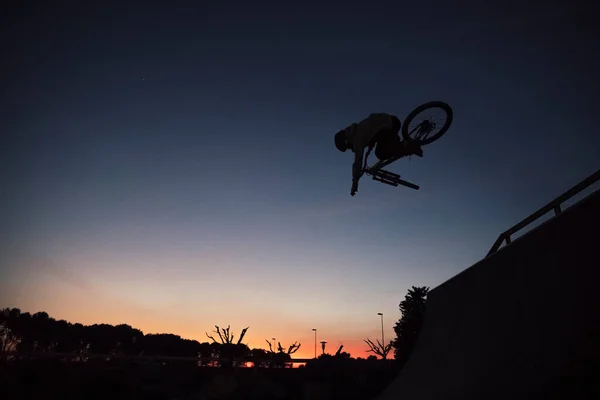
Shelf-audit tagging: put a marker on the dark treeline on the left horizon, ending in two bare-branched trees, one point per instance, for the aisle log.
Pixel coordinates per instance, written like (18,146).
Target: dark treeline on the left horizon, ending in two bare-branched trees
(27,333)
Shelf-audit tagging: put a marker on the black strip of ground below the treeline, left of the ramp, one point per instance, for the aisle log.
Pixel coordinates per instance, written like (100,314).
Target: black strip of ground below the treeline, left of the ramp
(55,379)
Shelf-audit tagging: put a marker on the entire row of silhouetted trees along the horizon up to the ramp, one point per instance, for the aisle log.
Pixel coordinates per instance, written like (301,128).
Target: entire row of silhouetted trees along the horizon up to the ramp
(26,333)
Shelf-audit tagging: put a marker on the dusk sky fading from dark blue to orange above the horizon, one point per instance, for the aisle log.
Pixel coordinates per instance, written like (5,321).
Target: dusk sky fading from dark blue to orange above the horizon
(173,167)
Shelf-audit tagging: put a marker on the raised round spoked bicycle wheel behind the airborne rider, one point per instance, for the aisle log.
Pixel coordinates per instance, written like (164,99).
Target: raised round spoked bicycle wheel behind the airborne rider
(429,127)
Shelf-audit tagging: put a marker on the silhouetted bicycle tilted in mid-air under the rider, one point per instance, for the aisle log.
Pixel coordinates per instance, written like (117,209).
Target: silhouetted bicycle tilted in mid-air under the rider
(417,128)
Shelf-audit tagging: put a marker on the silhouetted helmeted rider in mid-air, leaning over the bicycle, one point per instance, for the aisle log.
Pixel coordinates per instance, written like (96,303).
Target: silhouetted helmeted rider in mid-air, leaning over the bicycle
(379,130)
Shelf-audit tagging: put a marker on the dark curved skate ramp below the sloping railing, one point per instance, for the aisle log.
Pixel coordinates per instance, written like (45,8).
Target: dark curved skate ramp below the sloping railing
(523,323)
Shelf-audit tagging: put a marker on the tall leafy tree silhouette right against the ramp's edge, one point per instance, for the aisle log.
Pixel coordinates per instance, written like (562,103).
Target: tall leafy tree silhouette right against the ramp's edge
(408,327)
